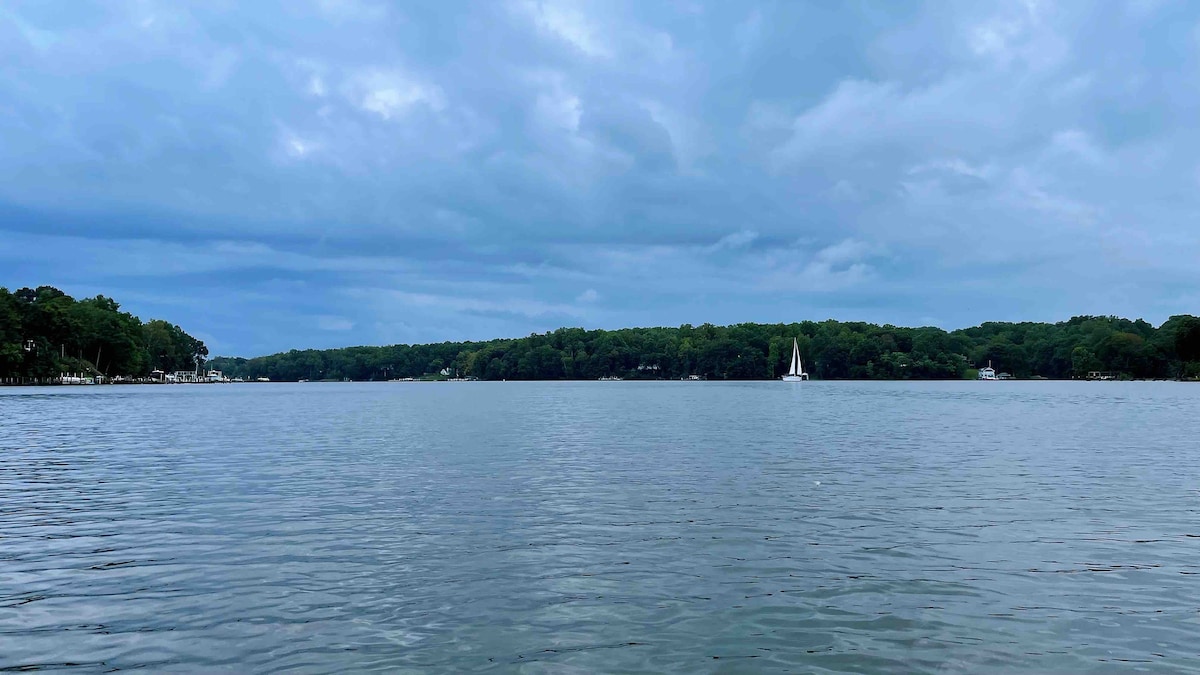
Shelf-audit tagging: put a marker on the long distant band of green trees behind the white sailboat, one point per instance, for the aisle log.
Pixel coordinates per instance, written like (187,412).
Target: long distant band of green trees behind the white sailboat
(832,350)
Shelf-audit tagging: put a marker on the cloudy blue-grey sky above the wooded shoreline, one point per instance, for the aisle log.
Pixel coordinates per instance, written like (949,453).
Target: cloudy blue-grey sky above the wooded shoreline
(322,174)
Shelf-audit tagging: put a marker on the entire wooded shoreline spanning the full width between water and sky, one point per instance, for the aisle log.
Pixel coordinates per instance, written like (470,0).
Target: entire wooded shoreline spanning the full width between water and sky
(47,337)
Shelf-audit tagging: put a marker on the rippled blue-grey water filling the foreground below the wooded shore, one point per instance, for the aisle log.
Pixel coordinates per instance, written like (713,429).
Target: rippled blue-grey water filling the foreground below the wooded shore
(617,528)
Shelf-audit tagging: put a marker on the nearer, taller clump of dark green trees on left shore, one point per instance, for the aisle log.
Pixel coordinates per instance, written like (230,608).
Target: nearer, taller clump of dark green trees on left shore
(45,332)
